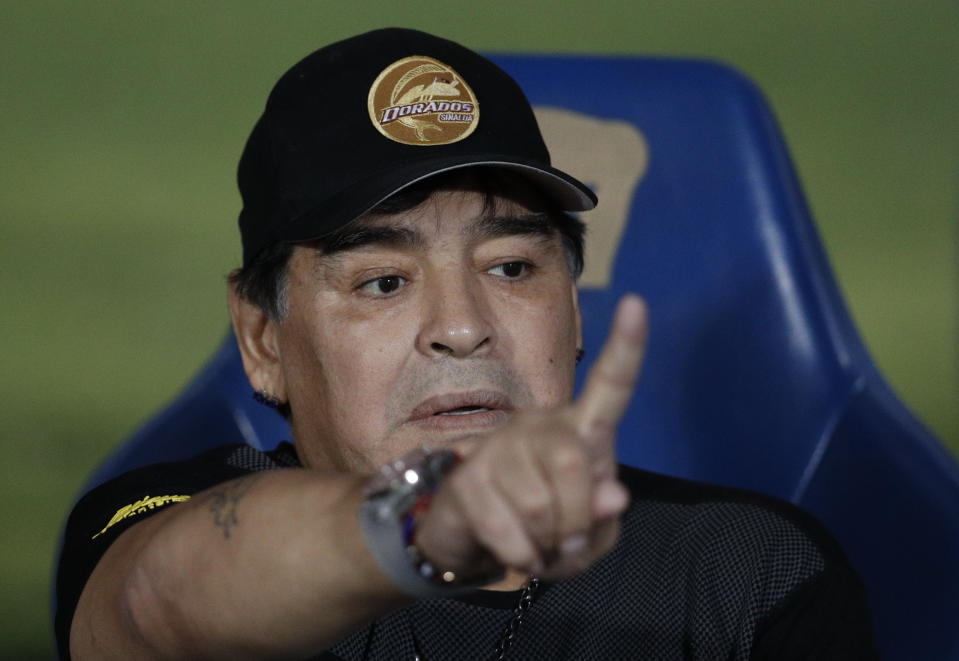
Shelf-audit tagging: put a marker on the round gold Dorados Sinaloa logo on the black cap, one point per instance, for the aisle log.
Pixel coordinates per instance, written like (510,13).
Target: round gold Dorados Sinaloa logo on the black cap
(421,101)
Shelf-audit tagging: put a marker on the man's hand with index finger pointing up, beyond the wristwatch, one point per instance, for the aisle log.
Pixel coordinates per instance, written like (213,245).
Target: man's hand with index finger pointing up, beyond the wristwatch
(540,495)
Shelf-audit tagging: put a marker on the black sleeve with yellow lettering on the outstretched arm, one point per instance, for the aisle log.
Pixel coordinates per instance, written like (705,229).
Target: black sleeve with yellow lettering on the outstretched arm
(102,515)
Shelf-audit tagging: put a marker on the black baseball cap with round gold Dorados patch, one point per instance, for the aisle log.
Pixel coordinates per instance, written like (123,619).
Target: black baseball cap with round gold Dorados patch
(355,122)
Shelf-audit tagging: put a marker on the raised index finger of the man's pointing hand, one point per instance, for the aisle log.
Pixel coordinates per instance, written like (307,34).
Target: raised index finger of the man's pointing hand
(612,378)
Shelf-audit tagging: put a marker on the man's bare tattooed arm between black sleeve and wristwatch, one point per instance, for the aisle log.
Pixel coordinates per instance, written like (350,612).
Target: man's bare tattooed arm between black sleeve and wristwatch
(272,565)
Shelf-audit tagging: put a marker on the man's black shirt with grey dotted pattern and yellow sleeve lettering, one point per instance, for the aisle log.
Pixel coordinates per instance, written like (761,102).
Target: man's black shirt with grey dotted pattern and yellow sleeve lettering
(700,572)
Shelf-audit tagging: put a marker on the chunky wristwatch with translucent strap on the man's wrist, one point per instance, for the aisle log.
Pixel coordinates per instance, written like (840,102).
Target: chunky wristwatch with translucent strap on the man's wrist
(395,495)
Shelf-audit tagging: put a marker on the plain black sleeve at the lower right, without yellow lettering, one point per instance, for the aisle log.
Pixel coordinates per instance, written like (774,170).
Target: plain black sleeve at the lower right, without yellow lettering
(825,618)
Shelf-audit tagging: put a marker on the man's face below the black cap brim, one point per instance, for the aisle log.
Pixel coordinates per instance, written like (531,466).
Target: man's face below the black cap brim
(432,325)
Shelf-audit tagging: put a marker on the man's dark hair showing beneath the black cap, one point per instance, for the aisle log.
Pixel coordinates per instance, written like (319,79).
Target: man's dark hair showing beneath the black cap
(263,281)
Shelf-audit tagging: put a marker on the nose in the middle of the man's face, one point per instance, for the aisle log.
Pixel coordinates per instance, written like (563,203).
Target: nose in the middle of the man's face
(458,321)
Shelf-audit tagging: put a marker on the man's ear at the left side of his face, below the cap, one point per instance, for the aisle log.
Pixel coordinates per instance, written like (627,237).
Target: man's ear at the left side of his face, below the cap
(256,335)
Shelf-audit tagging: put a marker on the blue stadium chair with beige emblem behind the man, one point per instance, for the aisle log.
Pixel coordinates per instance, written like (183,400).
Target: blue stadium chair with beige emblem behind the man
(755,375)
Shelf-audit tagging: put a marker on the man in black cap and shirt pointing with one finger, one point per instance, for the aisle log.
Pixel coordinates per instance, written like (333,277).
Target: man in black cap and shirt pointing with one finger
(408,301)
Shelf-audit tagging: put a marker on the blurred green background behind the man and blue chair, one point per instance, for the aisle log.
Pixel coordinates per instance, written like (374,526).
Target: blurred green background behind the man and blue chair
(122,123)
